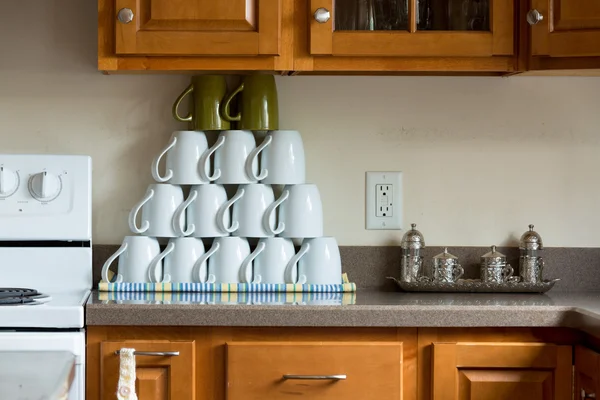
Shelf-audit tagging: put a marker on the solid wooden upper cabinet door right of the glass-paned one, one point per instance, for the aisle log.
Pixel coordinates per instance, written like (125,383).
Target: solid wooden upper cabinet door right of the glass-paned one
(565,28)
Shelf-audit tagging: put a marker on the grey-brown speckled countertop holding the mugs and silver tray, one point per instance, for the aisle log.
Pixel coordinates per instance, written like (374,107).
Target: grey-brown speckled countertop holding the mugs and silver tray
(361,309)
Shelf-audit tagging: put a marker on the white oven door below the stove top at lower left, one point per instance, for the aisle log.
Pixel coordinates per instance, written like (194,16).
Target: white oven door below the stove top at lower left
(73,342)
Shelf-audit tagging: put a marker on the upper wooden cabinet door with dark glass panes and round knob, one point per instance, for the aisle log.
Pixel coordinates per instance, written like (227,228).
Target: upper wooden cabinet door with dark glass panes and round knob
(472,28)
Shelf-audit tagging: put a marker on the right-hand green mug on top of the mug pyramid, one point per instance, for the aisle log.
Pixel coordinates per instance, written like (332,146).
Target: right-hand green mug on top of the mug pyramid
(259,110)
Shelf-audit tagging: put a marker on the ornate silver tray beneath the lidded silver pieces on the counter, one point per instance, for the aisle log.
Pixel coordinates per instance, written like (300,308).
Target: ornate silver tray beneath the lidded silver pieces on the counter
(476,286)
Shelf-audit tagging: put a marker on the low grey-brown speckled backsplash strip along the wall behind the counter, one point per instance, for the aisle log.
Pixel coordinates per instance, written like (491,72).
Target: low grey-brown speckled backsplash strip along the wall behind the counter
(368,266)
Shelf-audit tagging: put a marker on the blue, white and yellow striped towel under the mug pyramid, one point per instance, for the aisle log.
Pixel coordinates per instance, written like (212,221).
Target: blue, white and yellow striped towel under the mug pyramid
(344,287)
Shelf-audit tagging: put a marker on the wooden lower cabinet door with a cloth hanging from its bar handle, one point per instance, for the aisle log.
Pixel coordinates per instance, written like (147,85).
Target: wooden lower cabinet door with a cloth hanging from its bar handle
(158,377)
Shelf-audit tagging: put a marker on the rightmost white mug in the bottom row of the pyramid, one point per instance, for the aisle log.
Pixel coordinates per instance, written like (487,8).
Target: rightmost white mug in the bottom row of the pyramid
(319,263)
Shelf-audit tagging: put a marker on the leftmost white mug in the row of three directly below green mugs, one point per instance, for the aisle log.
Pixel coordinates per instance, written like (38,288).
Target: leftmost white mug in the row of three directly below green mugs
(183,155)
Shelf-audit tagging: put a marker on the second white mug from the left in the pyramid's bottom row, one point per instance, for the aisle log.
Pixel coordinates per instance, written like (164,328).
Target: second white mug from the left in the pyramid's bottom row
(180,261)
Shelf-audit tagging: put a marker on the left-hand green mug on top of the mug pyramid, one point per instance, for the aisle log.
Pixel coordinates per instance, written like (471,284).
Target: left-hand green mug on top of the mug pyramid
(209,91)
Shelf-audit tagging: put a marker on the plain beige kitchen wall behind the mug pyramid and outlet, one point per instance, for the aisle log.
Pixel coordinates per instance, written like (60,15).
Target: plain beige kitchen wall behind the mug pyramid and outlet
(482,157)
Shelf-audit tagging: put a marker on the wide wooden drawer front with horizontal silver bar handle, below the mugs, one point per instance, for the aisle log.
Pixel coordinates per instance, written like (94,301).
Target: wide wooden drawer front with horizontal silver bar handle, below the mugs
(289,370)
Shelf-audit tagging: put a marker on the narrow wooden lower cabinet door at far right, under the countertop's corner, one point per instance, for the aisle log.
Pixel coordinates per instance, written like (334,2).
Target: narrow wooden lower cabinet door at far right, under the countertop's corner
(587,373)
